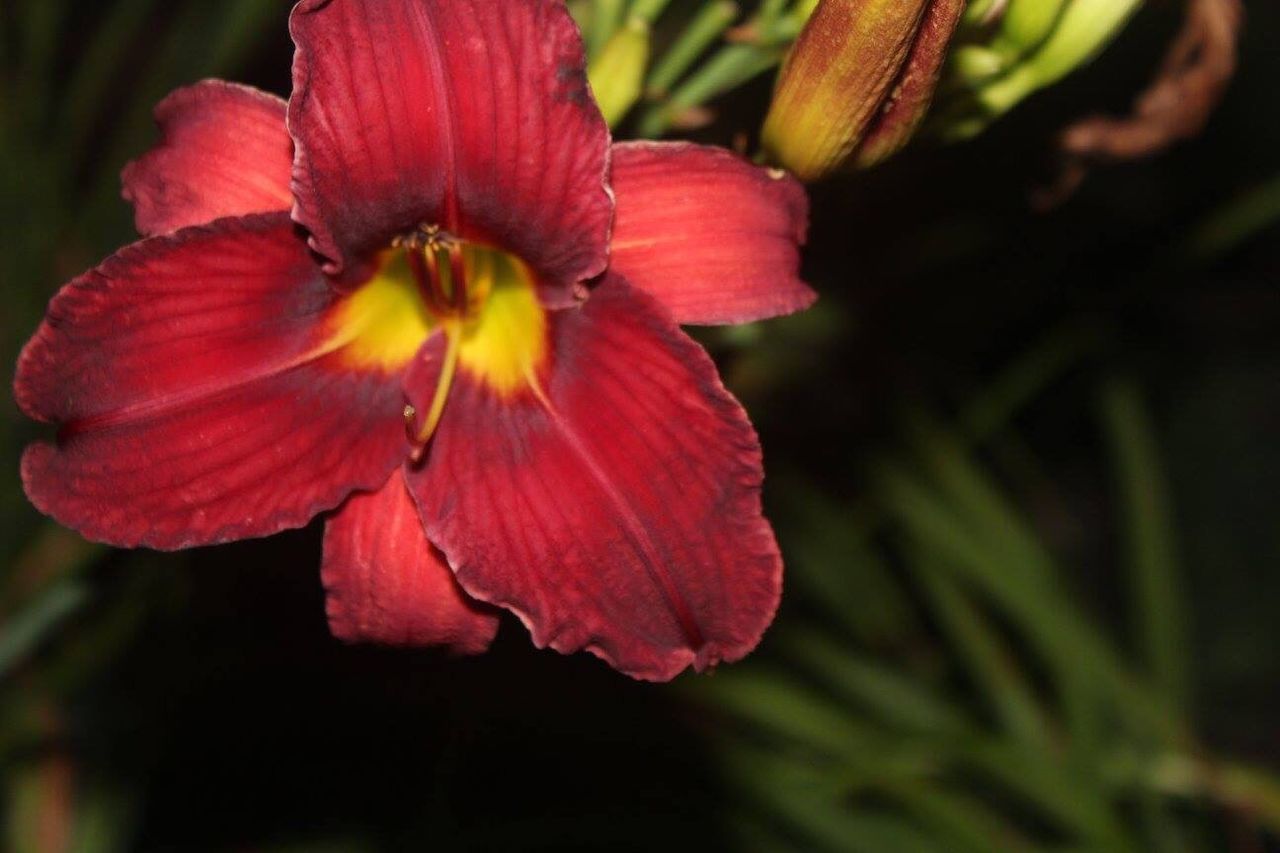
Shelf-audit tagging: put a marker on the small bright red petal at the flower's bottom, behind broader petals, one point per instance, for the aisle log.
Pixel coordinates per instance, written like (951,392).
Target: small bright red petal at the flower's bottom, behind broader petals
(387,585)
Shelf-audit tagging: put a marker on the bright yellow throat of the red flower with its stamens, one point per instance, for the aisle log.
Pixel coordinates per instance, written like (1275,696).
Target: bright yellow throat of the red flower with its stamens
(483,300)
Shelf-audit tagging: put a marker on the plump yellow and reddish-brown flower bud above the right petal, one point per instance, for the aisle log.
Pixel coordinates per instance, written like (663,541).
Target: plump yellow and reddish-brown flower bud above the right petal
(858,83)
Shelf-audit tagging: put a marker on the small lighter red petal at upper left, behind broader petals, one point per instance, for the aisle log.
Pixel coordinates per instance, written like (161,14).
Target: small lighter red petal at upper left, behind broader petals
(223,152)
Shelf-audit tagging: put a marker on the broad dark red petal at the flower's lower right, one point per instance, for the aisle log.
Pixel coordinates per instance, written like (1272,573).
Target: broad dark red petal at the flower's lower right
(620,509)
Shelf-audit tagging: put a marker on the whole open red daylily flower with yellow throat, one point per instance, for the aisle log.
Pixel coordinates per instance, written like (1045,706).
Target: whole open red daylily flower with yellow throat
(464,239)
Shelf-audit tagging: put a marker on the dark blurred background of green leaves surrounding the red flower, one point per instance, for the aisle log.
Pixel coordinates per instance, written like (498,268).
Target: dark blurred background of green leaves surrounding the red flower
(1025,472)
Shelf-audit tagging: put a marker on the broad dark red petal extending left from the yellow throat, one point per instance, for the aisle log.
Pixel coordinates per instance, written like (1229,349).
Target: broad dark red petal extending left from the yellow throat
(198,396)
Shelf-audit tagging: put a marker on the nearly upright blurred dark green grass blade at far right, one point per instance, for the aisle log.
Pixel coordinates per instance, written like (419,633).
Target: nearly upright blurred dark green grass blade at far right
(1149,532)
